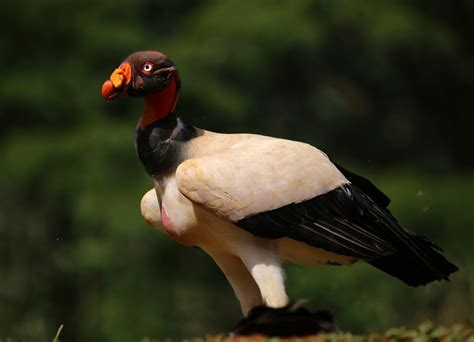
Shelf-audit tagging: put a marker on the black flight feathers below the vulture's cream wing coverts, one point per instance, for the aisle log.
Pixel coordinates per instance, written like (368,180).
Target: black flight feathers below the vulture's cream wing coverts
(349,222)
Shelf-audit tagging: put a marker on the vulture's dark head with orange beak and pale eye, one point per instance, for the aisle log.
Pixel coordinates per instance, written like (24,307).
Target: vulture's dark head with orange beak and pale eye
(142,74)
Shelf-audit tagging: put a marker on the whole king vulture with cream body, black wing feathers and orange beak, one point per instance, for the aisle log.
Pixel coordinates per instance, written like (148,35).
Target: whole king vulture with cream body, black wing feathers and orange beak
(252,202)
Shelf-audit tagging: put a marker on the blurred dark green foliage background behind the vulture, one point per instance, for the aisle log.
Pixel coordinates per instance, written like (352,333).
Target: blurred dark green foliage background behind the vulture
(384,87)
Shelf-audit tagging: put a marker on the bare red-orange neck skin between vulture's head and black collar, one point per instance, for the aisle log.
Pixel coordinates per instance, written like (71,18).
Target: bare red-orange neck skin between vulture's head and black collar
(159,105)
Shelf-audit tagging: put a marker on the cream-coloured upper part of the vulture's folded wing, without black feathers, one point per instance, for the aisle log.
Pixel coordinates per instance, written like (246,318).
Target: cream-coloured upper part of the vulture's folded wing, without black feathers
(257,175)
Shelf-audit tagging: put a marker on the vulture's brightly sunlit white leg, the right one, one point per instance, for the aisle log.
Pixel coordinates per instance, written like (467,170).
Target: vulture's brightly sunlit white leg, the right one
(264,264)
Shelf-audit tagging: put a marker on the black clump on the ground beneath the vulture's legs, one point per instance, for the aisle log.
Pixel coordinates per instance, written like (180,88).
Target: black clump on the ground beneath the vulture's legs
(291,320)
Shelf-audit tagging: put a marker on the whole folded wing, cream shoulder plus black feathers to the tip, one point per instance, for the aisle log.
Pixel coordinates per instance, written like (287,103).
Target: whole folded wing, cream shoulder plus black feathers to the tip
(275,188)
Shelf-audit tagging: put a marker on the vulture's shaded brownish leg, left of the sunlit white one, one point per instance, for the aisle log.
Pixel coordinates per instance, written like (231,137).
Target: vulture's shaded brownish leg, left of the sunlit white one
(244,286)
